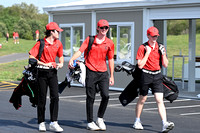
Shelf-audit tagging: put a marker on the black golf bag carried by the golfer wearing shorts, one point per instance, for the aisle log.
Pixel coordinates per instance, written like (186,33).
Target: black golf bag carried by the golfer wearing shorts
(131,91)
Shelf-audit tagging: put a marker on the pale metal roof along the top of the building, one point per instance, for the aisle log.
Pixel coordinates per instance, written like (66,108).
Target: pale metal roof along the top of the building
(101,4)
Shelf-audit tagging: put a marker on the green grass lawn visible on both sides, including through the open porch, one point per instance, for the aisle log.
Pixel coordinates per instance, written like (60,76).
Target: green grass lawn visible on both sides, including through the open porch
(13,71)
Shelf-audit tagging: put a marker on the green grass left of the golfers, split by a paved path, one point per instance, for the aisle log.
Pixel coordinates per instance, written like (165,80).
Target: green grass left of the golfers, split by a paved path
(13,71)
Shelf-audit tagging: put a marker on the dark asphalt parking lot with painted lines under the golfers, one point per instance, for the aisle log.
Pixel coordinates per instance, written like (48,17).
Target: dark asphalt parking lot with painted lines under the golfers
(184,112)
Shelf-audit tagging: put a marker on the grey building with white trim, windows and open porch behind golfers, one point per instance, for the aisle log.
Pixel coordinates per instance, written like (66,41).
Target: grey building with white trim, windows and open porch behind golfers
(129,20)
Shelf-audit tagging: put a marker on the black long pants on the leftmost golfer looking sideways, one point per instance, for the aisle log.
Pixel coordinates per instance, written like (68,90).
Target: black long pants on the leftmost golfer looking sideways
(47,78)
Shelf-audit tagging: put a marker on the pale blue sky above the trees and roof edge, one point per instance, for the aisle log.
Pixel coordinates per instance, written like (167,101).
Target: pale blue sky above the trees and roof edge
(37,3)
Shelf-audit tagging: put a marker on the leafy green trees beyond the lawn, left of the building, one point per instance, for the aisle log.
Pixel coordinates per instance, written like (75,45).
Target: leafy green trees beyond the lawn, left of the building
(23,18)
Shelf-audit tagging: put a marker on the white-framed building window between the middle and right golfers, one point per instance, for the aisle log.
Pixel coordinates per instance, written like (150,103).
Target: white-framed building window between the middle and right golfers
(122,34)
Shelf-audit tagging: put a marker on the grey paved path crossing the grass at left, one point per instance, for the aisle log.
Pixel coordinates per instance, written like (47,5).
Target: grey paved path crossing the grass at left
(13,57)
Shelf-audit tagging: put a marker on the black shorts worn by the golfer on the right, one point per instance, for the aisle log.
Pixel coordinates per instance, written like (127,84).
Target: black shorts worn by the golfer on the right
(153,81)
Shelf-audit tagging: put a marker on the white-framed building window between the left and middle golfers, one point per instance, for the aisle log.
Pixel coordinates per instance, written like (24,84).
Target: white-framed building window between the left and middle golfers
(72,38)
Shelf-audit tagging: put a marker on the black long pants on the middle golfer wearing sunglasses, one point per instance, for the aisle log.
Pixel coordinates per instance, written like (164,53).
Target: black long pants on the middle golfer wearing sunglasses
(92,80)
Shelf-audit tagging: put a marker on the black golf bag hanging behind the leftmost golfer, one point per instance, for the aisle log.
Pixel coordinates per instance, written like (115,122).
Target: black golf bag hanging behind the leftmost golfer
(27,86)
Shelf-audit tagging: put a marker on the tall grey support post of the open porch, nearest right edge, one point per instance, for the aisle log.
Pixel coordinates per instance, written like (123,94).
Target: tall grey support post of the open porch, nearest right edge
(192,54)
